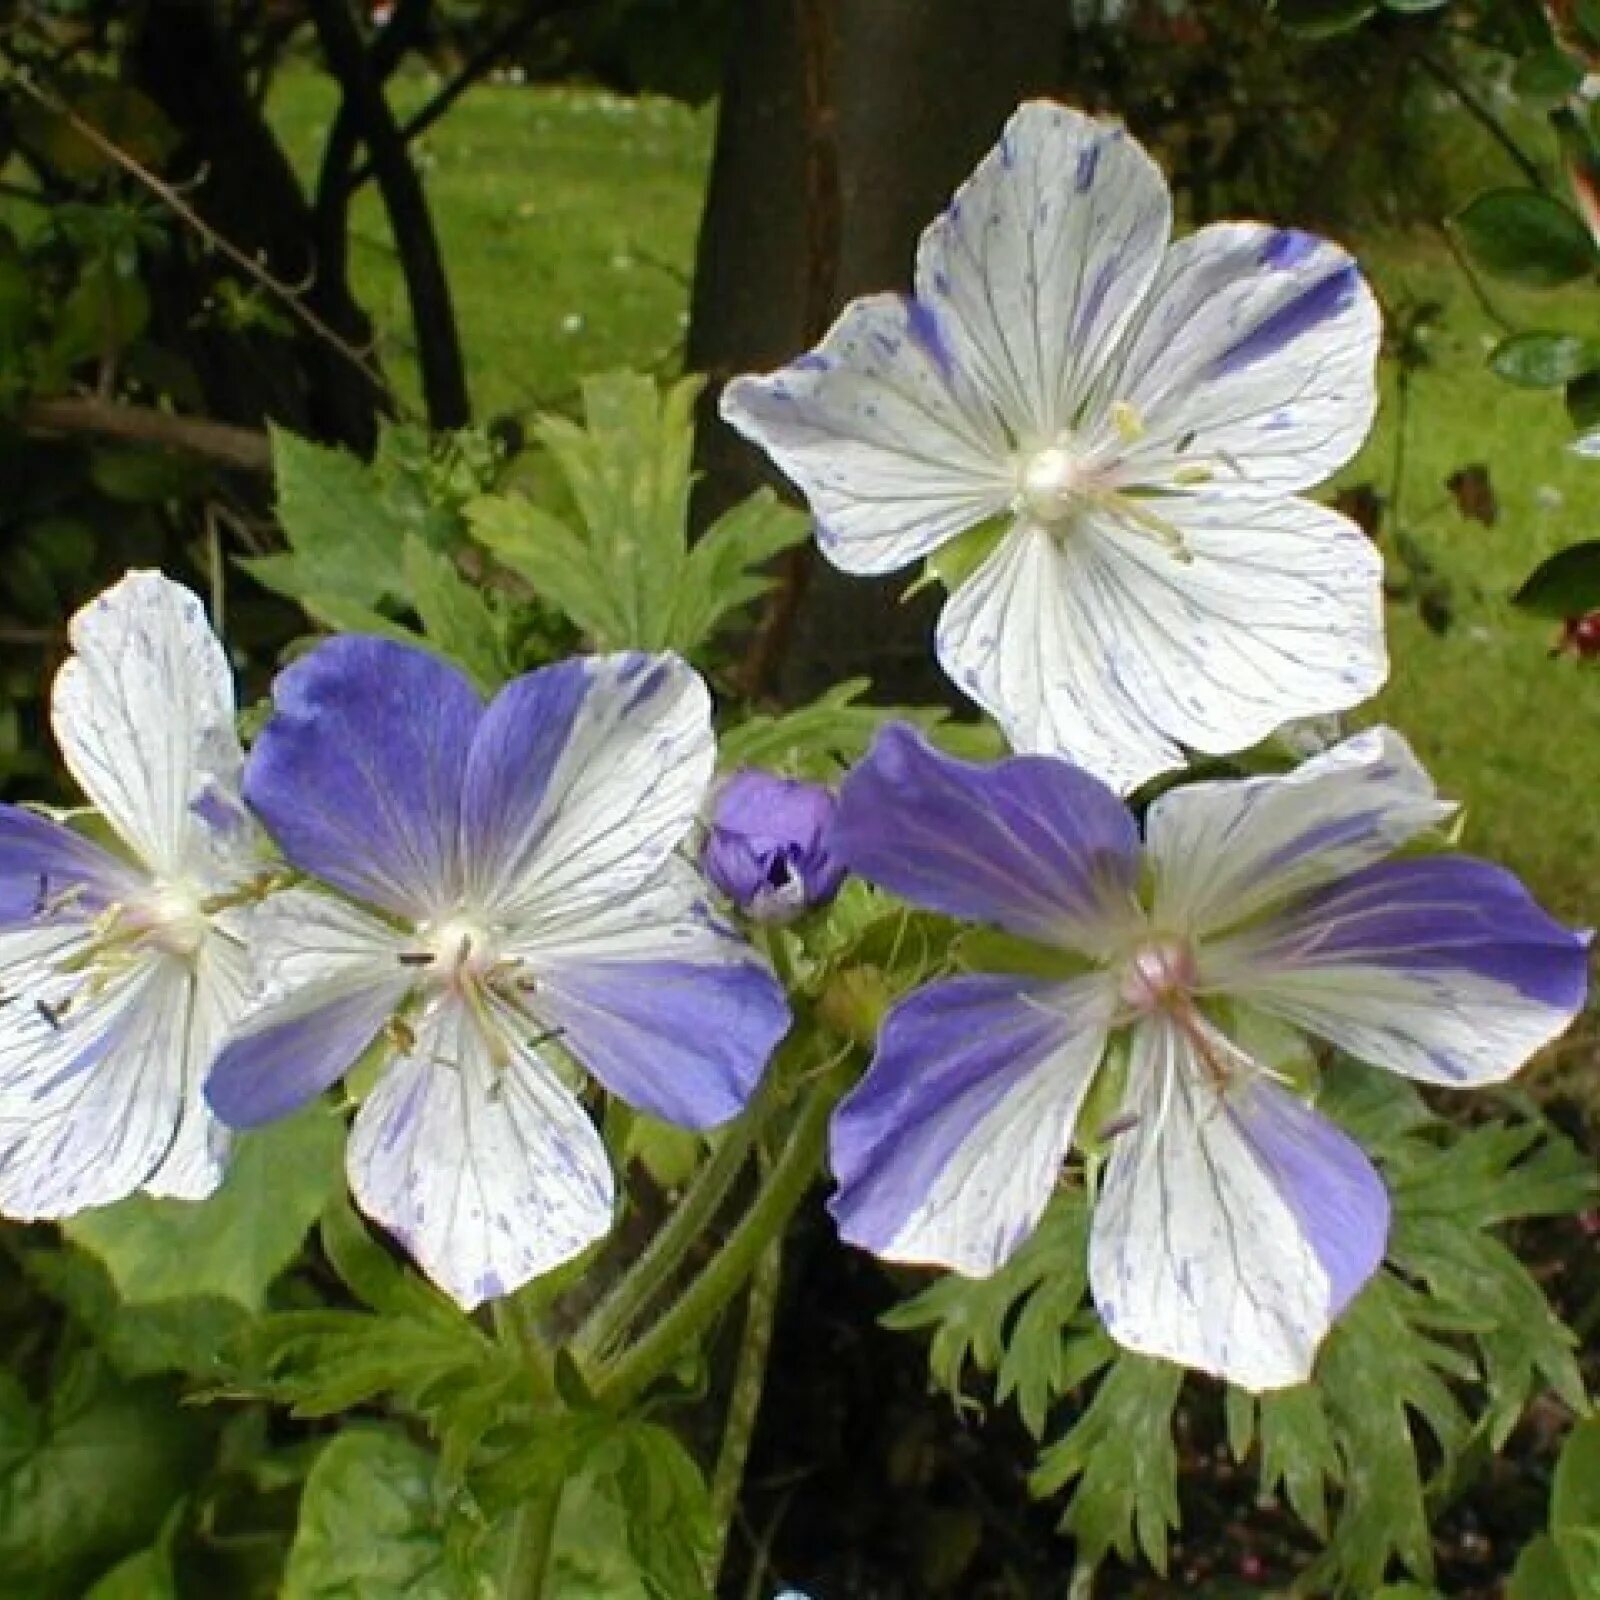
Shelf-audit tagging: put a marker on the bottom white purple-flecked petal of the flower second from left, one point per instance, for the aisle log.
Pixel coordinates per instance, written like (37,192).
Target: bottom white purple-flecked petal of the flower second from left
(489,1174)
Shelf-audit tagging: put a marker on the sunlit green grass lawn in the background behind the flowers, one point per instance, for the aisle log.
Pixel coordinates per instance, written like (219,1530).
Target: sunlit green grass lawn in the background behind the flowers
(569,222)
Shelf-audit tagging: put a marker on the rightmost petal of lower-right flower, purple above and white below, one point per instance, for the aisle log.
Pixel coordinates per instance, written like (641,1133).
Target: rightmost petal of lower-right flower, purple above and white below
(1442,969)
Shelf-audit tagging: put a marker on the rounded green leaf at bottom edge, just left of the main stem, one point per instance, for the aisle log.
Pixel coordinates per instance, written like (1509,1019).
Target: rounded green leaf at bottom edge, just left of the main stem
(375,1527)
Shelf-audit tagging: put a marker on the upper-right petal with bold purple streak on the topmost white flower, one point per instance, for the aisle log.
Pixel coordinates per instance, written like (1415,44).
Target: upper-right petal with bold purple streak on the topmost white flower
(1255,359)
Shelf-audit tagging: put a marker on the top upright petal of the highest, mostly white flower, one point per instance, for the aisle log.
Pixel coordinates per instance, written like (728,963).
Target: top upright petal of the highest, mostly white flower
(1042,258)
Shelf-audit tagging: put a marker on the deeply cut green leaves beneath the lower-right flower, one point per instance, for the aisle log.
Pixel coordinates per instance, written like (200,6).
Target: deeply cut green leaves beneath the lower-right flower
(1454,1335)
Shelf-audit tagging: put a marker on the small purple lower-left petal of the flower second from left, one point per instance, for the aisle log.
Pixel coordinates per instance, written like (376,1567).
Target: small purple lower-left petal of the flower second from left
(281,1062)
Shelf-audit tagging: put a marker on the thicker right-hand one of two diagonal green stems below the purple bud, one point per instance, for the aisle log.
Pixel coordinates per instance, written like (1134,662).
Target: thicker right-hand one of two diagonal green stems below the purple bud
(620,1382)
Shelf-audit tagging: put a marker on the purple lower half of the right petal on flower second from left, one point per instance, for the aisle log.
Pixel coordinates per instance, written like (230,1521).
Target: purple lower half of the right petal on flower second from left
(676,1039)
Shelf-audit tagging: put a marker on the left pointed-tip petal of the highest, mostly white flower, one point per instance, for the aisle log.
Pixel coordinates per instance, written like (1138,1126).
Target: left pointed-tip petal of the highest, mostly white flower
(879,433)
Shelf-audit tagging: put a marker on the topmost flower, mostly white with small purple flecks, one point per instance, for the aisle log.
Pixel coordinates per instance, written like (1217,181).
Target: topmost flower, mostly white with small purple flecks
(1132,420)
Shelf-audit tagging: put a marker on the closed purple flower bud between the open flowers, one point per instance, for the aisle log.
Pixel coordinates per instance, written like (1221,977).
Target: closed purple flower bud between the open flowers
(769,847)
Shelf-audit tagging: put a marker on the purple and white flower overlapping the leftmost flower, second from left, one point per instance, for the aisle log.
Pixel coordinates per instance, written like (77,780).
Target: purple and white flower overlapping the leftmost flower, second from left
(524,914)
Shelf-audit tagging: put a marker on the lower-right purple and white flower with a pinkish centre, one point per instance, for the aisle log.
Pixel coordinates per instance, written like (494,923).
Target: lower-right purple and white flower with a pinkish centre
(1233,1222)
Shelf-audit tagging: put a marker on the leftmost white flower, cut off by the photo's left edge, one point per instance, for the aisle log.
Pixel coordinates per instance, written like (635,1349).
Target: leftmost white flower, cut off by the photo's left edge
(121,970)
